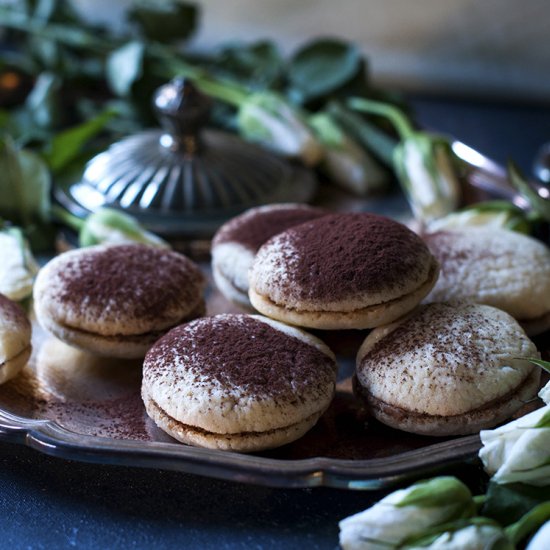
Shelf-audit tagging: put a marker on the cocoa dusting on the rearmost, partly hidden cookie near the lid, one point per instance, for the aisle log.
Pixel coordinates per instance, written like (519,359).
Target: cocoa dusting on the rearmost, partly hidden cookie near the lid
(254,229)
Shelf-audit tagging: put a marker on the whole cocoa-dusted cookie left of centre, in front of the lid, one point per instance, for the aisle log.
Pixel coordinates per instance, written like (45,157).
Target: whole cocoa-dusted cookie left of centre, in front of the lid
(117,300)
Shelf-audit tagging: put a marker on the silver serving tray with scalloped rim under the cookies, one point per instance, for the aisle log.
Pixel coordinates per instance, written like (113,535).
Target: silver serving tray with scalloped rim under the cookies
(75,406)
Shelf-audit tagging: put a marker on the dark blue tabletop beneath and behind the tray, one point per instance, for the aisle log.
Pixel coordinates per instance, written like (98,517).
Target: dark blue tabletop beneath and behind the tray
(48,502)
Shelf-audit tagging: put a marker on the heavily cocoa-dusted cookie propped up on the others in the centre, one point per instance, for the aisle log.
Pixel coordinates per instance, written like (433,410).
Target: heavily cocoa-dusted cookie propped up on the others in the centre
(342,271)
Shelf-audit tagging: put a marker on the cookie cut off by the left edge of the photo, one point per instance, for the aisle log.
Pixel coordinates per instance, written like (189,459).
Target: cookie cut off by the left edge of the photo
(15,339)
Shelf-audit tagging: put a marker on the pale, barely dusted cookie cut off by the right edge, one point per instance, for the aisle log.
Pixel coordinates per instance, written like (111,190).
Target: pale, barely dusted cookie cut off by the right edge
(496,267)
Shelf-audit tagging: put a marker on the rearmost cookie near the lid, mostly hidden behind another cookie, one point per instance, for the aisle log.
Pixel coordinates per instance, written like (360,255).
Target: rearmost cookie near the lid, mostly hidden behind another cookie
(236,242)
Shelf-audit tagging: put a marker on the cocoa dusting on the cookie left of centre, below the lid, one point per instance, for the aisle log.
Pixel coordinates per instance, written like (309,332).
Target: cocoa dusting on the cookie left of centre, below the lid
(142,280)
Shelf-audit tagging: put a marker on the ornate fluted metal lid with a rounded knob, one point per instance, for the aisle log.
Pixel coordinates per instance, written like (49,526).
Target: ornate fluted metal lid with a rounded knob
(184,179)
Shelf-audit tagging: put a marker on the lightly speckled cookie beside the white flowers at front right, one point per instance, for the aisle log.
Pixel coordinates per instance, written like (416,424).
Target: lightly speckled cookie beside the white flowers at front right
(447,369)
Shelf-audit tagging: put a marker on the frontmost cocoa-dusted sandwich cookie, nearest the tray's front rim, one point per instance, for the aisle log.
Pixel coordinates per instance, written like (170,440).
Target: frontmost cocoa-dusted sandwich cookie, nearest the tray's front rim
(237,382)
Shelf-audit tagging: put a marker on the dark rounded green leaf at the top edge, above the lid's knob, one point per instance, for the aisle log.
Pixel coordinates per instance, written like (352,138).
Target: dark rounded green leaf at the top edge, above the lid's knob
(165,21)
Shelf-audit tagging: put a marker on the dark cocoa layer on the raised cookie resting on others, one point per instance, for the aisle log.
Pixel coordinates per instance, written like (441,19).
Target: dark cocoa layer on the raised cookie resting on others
(347,254)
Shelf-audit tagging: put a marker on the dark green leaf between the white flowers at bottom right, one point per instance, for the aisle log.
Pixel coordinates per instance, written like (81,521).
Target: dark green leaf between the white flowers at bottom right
(508,503)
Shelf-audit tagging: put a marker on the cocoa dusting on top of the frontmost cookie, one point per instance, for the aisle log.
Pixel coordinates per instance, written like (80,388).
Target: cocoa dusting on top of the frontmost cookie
(243,352)
